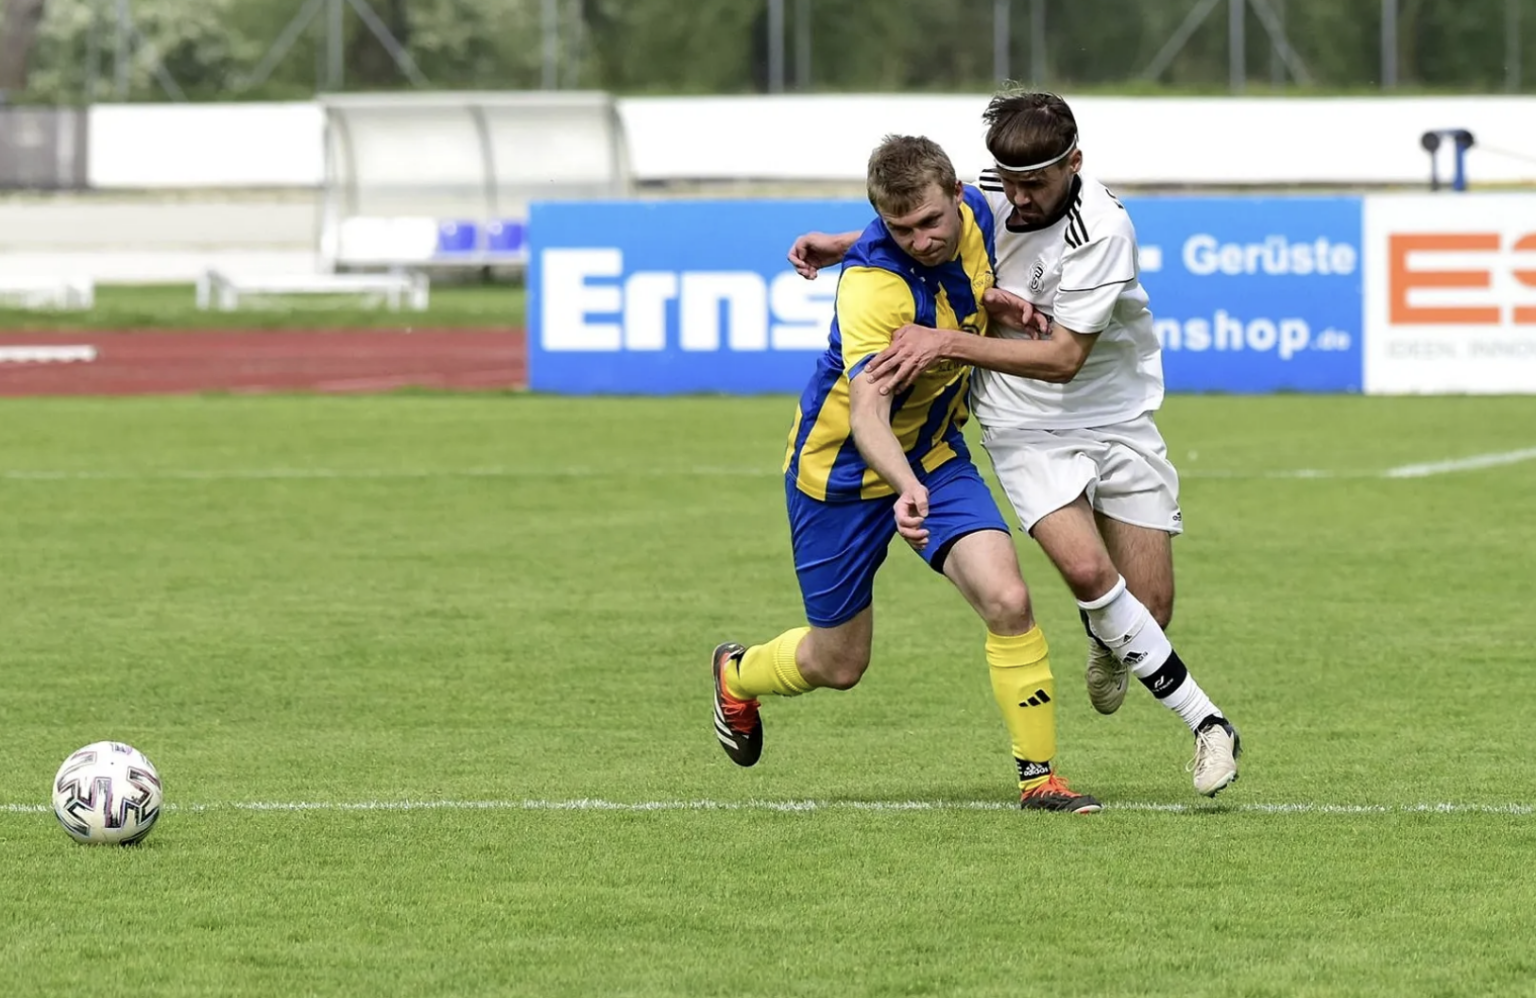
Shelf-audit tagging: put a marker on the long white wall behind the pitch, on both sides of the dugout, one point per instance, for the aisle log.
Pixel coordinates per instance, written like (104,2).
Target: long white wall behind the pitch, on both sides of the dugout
(1131,142)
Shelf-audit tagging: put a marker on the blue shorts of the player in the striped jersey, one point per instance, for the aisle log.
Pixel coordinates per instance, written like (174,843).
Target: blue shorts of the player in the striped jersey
(839,546)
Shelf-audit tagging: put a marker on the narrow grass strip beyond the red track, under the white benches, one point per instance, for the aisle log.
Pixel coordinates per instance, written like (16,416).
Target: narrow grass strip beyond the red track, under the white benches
(174,306)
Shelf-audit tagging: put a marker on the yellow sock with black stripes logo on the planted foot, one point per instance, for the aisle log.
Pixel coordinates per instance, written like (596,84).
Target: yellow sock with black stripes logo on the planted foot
(1021,667)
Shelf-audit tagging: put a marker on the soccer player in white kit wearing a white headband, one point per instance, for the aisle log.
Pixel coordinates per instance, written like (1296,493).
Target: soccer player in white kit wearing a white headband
(1065,400)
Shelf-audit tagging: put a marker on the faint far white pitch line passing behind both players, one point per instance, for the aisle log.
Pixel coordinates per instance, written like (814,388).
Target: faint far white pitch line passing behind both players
(535,472)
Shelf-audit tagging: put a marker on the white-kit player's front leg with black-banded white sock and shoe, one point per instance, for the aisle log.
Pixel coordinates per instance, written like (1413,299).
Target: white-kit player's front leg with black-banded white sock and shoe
(1070,538)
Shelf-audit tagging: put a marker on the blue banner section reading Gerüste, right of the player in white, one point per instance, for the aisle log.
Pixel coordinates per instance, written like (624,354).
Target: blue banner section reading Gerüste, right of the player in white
(1254,294)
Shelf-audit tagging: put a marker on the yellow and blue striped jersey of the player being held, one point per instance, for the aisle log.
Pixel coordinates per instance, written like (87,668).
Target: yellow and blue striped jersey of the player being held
(881,291)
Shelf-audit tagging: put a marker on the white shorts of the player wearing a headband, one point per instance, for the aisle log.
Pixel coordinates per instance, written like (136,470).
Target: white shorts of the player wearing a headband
(1122,468)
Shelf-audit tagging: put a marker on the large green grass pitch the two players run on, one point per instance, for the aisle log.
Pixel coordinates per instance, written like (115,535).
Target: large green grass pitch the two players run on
(432,633)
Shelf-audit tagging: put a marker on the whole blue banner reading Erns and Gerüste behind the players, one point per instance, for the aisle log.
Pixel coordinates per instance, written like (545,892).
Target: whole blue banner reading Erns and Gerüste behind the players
(689,297)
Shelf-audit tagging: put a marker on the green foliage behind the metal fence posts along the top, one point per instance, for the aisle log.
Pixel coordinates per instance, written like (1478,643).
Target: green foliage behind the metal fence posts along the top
(701,47)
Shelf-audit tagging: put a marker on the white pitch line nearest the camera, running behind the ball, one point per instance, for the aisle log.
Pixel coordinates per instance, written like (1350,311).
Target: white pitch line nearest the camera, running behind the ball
(901,807)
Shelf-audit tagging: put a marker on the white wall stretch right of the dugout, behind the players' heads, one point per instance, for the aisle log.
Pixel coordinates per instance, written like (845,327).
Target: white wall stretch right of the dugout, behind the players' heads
(1134,142)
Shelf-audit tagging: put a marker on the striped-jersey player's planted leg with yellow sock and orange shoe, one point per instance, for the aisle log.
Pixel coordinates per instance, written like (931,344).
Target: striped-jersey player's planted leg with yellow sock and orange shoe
(985,569)
